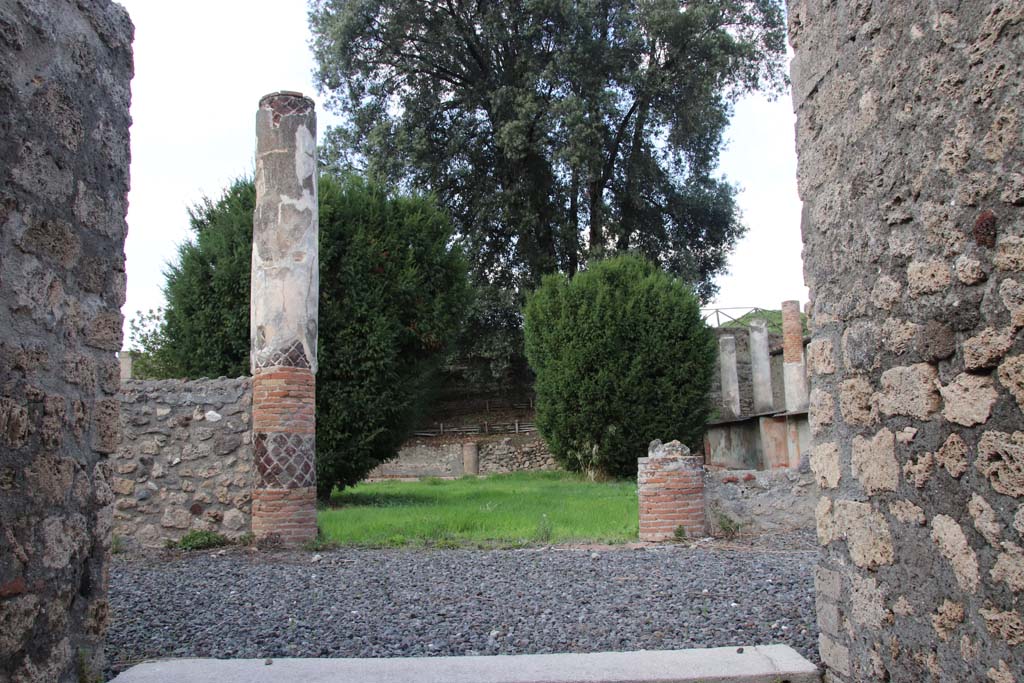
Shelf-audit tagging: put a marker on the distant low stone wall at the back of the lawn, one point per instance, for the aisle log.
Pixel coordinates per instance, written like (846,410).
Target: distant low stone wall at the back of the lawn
(426,458)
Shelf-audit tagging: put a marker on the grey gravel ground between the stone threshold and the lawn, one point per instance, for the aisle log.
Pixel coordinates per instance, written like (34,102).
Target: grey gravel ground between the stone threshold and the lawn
(378,604)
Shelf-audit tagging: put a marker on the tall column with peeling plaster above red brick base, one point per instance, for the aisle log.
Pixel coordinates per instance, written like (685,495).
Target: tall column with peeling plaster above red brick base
(283,319)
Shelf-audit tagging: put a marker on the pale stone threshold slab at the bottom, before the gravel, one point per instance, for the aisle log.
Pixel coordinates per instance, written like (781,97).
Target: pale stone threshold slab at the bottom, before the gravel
(764,664)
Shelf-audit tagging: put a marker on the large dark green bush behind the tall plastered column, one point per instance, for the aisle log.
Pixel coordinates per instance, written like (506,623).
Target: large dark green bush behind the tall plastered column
(393,295)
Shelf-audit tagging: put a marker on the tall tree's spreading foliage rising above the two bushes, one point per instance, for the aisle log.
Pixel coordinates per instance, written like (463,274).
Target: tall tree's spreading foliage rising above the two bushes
(553,131)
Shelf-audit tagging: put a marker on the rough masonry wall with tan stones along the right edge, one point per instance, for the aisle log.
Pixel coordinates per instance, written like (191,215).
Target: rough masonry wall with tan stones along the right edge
(911,170)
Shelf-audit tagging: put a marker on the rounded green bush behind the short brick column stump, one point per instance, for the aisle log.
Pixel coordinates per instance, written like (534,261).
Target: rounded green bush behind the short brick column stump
(622,358)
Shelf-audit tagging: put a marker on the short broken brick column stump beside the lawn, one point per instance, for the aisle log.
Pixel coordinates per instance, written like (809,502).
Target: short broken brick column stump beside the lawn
(670,485)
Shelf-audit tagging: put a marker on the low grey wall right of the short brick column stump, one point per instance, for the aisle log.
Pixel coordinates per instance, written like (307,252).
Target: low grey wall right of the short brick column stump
(753,501)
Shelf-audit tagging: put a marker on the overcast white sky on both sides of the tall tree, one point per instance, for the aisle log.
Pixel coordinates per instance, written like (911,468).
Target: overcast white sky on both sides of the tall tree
(201,67)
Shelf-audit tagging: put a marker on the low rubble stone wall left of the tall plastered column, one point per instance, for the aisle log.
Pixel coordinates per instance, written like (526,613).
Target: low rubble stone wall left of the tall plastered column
(185,461)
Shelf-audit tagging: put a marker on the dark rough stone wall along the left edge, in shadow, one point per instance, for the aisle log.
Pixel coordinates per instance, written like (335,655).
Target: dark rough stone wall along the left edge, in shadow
(65,74)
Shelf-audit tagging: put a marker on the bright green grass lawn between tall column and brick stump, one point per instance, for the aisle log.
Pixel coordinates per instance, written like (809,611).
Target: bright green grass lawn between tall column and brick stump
(519,509)
